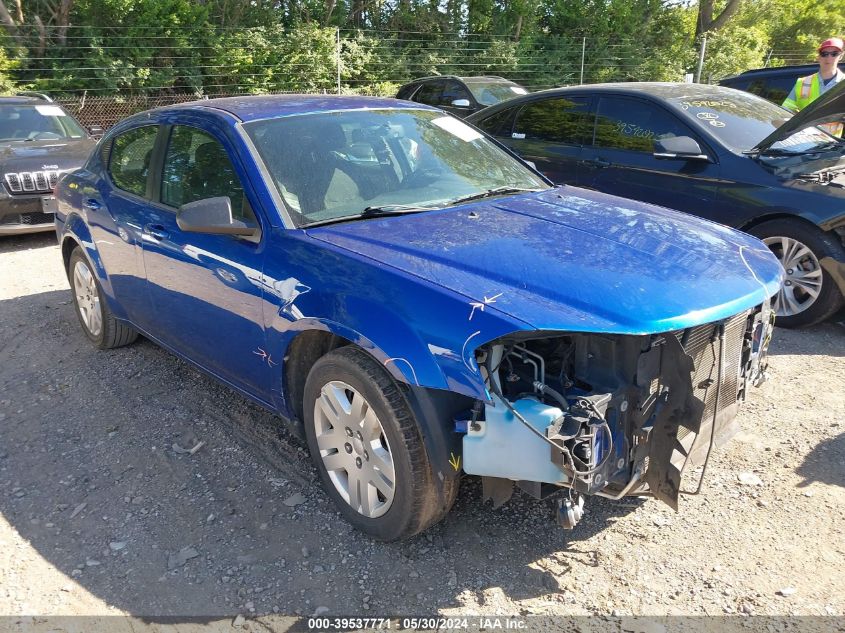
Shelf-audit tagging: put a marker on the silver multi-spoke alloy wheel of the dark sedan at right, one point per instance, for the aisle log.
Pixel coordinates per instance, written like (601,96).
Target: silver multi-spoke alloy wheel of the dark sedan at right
(803,281)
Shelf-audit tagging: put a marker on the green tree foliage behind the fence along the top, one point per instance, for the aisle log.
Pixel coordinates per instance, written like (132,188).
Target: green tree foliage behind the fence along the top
(214,46)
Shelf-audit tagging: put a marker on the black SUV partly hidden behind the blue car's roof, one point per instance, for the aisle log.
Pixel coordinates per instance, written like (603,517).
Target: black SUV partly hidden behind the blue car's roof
(460,96)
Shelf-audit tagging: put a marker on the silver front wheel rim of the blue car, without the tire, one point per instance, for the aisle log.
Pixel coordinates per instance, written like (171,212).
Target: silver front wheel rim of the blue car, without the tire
(354,449)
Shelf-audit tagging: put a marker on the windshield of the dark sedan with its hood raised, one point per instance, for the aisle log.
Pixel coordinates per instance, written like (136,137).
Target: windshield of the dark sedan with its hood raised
(742,120)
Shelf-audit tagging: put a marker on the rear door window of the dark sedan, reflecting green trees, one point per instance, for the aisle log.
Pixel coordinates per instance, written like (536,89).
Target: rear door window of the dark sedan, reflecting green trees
(558,120)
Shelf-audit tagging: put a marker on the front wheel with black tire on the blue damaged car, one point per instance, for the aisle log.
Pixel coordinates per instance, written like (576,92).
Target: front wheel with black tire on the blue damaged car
(368,448)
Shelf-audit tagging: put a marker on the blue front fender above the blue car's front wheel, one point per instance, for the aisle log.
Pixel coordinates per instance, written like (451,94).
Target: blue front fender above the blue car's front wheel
(422,333)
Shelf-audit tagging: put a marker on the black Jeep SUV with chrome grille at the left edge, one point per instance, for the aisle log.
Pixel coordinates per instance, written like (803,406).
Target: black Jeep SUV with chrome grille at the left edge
(39,141)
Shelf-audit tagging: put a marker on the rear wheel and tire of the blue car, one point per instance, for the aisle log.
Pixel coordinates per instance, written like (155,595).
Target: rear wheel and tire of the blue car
(92,310)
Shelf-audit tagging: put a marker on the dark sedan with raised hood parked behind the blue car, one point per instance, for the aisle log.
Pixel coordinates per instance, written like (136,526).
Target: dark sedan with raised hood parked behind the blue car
(715,152)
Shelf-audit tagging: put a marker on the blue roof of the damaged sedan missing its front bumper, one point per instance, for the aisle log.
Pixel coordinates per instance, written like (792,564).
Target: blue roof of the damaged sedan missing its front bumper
(257,107)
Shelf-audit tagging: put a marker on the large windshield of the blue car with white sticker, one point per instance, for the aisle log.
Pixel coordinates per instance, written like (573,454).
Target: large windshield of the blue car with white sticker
(345,164)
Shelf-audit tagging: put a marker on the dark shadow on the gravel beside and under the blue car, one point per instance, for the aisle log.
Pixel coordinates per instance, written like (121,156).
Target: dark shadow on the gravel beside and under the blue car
(96,476)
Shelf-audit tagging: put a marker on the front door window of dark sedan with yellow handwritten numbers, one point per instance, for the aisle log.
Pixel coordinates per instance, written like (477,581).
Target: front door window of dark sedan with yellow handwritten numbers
(634,125)
